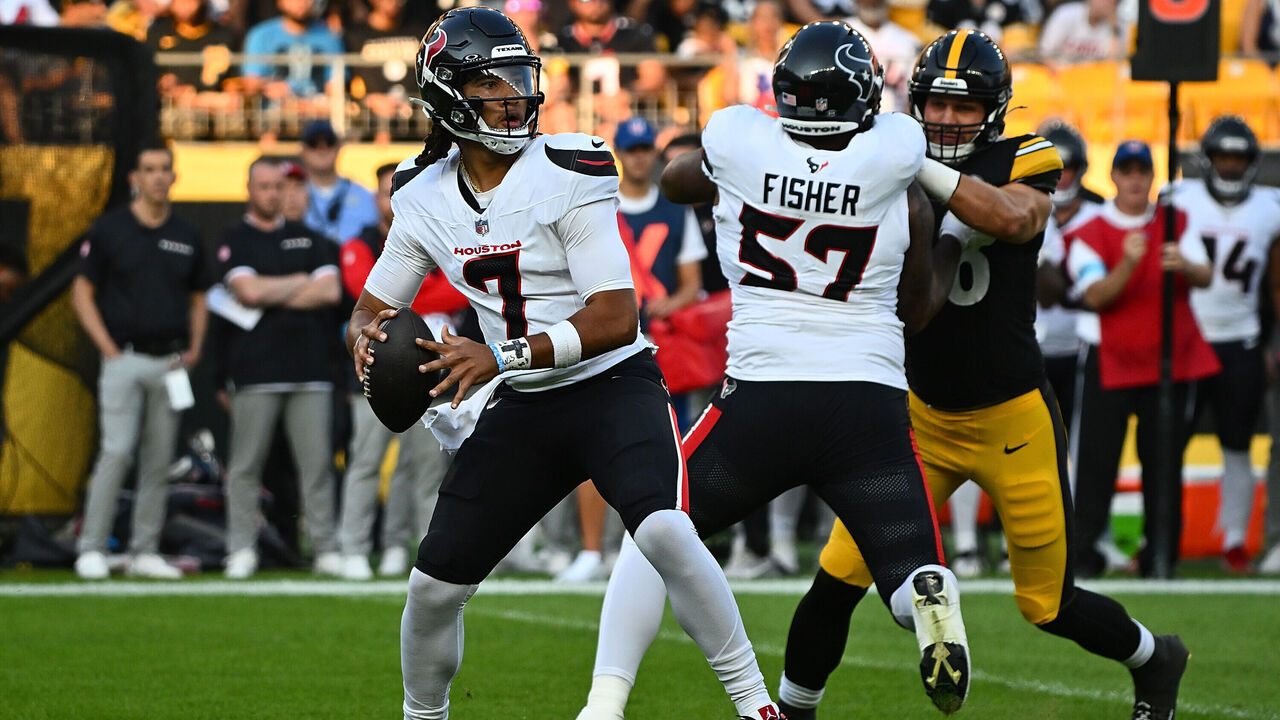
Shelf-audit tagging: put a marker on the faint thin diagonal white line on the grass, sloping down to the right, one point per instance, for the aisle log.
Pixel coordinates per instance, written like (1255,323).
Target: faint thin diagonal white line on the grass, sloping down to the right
(1026,686)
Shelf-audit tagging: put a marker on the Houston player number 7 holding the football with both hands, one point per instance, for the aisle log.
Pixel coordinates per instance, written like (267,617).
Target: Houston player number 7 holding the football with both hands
(525,227)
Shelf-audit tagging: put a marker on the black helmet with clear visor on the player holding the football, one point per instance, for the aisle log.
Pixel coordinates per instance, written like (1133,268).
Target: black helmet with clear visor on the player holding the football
(472,43)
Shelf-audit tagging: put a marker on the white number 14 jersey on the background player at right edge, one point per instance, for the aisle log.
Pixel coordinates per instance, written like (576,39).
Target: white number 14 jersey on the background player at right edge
(1238,241)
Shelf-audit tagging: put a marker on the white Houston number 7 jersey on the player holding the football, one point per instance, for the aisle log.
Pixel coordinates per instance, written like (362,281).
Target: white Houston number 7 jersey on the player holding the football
(547,240)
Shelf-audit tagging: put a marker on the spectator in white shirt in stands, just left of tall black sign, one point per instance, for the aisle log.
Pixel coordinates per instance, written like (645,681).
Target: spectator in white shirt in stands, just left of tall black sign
(1081,31)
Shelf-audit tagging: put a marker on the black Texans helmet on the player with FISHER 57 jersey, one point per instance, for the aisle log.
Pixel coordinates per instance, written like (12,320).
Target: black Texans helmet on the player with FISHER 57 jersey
(828,81)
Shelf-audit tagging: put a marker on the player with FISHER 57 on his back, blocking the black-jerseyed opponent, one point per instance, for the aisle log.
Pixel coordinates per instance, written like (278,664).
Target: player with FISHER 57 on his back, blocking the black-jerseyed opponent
(822,250)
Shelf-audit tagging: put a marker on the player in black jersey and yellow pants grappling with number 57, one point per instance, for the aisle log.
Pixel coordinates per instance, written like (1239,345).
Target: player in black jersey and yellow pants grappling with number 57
(980,403)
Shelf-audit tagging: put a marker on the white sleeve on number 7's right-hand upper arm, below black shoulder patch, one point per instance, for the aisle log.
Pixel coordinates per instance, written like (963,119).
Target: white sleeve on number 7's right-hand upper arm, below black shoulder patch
(597,258)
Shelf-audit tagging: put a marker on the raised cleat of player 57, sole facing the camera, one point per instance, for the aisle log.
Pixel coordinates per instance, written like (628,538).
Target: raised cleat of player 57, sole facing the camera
(944,646)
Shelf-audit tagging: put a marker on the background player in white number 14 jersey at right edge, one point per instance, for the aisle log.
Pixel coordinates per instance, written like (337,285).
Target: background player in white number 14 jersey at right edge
(1240,229)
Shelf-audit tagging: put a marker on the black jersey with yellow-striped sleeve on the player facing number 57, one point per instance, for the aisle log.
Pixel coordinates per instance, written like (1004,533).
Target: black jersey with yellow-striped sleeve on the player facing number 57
(981,350)
